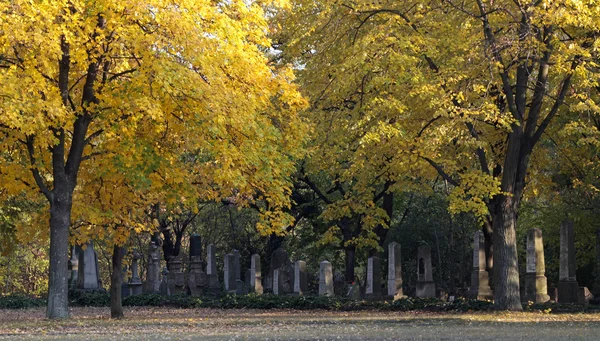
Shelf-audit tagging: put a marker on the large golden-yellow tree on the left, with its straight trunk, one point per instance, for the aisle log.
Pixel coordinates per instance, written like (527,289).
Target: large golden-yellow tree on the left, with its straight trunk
(139,84)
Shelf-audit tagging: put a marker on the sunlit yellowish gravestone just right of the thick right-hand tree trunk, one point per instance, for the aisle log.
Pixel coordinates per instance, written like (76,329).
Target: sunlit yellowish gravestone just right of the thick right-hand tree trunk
(536,284)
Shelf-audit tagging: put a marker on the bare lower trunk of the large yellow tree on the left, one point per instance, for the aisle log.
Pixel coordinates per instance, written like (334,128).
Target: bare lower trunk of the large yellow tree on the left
(58,289)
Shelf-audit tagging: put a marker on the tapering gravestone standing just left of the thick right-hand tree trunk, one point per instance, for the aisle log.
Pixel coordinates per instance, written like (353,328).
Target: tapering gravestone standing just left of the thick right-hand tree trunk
(480,280)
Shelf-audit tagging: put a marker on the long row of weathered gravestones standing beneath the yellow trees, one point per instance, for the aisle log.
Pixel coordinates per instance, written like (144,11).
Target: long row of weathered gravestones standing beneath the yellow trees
(285,277)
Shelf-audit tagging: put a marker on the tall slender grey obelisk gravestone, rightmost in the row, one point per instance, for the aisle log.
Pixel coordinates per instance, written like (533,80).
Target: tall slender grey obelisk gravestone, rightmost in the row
(567,281)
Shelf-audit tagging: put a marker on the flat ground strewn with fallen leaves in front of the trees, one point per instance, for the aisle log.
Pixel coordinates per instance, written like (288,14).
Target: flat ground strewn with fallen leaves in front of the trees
(163,323)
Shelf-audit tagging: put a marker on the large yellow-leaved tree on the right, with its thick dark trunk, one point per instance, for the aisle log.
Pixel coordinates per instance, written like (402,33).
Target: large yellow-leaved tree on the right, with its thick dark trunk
(467,89)
